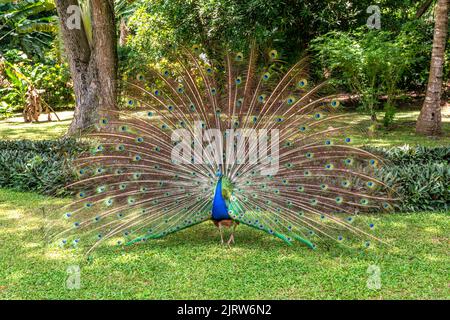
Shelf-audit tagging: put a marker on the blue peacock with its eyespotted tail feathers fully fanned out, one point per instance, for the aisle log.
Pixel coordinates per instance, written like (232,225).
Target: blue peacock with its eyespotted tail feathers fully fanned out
(238,138)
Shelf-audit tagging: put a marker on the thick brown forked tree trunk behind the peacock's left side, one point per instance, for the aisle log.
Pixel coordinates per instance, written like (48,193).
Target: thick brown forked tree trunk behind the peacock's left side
(92,56)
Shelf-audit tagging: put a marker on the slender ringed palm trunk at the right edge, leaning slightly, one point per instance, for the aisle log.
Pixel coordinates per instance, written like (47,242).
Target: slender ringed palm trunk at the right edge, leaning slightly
(429,121)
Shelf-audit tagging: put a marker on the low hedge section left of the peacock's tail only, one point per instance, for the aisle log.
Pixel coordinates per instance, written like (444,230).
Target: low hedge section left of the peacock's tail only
(40,166)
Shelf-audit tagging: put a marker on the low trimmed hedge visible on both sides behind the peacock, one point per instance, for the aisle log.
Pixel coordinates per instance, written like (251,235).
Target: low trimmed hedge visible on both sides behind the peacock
(420,175)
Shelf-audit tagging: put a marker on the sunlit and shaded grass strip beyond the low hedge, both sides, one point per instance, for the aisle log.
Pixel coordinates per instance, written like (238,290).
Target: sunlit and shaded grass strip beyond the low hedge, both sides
(402,132)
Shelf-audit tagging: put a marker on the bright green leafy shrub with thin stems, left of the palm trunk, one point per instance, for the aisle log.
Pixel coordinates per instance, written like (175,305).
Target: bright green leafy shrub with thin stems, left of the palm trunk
(374,63)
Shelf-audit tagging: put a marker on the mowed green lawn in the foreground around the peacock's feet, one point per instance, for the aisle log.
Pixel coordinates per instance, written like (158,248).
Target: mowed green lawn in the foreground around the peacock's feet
(192,264)
